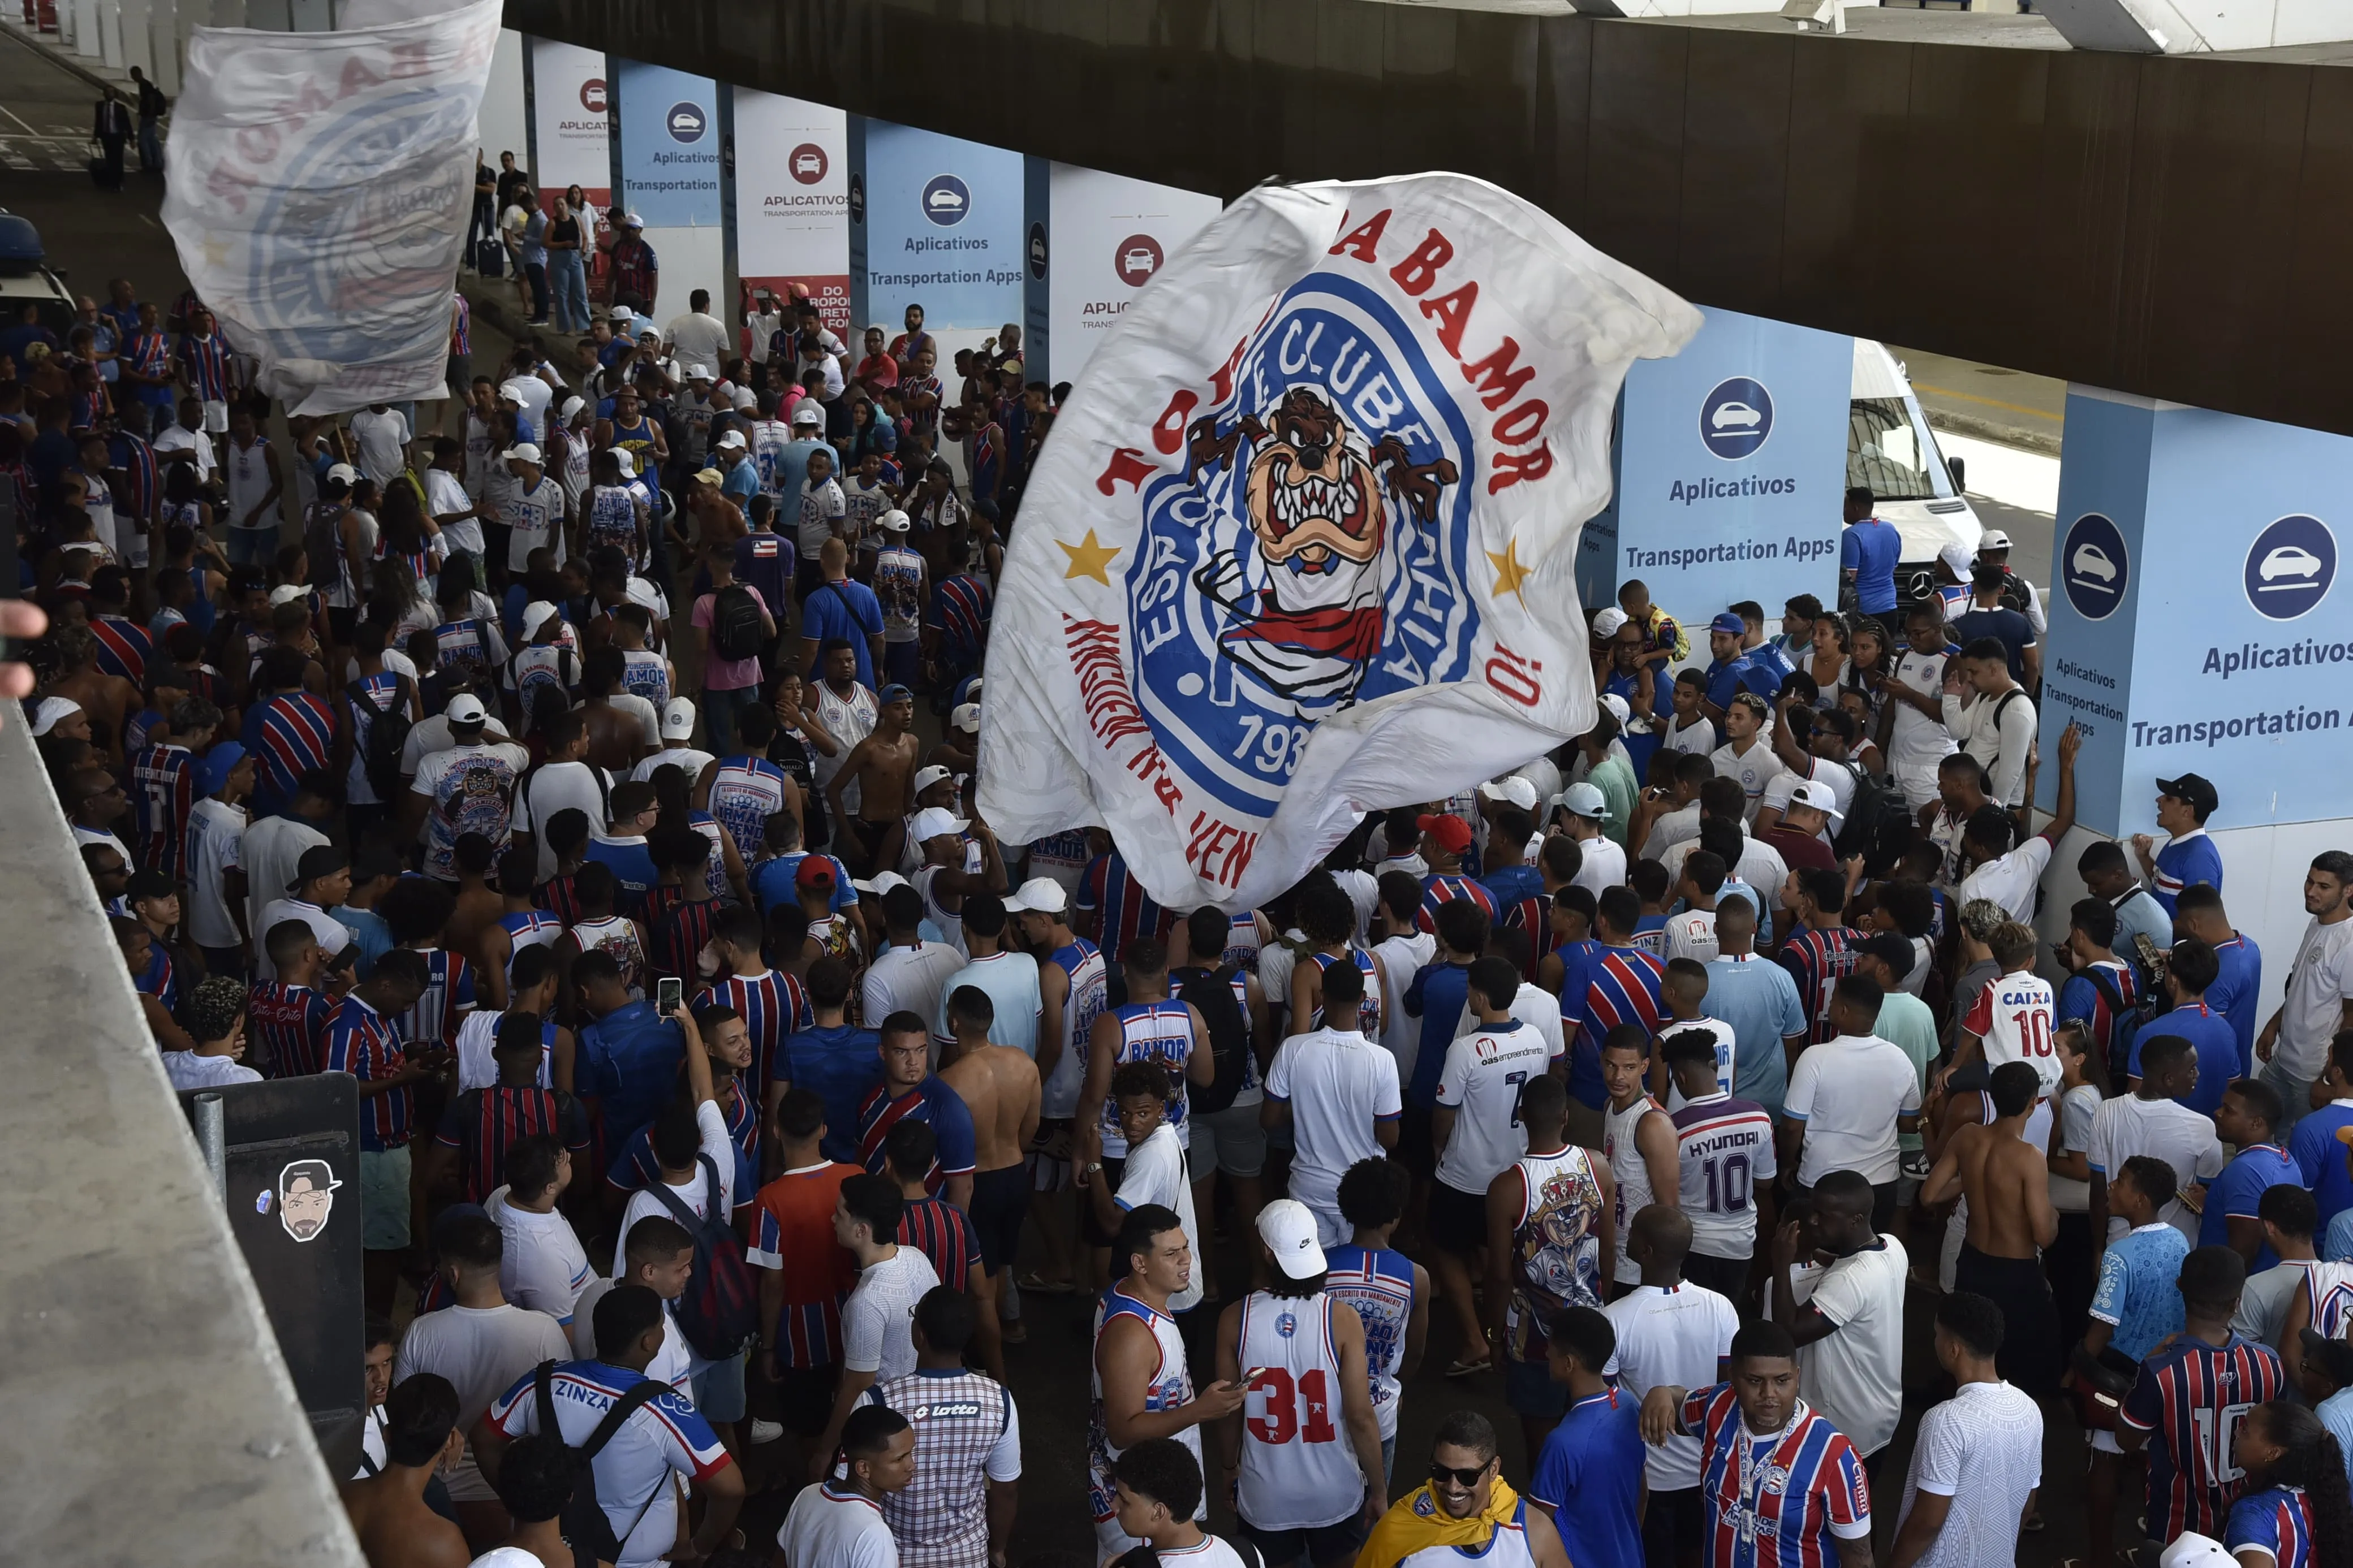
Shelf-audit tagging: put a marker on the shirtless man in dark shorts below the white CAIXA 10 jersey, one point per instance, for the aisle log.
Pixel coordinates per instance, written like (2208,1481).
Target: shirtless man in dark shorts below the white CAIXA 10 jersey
(2006,1181)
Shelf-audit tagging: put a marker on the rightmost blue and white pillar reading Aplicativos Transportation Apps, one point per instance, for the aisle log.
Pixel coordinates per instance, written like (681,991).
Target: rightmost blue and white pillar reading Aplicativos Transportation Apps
(2197,629)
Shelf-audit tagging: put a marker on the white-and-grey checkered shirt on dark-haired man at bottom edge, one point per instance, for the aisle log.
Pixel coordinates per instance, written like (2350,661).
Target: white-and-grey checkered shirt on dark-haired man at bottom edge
(966,1438)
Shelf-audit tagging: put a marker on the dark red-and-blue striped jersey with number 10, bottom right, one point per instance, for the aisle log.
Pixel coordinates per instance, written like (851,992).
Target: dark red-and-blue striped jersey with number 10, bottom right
(2192,1398)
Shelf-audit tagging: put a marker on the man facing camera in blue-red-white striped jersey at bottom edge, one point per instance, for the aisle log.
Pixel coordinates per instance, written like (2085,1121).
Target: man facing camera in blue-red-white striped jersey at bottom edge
(1782,1485)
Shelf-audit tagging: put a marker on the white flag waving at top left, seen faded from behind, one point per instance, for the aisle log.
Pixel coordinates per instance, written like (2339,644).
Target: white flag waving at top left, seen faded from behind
(319,192)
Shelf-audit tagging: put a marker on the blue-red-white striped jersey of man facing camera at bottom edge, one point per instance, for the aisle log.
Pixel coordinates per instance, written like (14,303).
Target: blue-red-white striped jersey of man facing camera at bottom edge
(1775,1503)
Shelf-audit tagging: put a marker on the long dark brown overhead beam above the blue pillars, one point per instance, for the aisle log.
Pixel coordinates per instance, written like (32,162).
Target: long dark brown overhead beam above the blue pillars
(2164,227)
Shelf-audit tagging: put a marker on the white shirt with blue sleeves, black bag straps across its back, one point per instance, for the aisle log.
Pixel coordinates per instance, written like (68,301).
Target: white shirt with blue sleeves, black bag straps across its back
(634,1473)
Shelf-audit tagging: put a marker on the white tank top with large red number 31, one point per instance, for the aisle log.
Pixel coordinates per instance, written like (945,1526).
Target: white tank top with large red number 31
(1298,1466)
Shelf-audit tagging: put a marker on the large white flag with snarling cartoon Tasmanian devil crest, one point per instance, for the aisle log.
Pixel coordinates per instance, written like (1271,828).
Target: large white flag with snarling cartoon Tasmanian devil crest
(1305,542)
